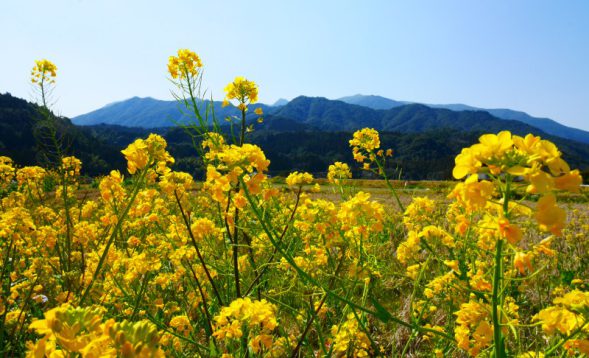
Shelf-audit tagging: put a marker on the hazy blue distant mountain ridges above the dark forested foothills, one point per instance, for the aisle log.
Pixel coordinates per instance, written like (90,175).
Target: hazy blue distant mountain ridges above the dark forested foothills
(346,114)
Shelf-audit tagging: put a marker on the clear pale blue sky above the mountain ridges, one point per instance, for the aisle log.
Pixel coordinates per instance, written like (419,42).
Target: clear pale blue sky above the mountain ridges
(526,55)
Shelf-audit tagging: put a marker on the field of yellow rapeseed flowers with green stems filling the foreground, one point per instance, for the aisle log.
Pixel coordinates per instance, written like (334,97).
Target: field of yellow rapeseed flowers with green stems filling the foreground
(157,264)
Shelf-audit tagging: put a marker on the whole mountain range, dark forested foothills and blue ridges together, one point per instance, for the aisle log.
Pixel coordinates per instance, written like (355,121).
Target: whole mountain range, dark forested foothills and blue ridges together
(305,134)
